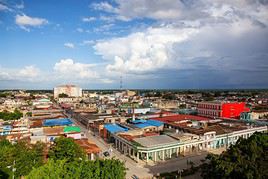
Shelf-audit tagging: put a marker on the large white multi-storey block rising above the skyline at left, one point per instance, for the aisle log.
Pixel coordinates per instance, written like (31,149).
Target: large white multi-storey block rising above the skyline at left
(70,90)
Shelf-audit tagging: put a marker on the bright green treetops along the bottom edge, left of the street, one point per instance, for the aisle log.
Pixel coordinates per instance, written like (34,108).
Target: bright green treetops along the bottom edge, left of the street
(98,169)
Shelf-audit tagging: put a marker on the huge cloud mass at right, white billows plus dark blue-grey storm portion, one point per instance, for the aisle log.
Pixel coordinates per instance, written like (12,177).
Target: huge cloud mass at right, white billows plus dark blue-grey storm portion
(190,38)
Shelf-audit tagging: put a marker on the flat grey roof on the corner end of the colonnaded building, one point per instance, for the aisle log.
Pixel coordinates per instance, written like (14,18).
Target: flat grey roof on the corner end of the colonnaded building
(153,141)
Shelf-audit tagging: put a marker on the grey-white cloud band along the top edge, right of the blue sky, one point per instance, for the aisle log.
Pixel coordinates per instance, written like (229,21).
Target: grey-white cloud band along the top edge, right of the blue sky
(174,10)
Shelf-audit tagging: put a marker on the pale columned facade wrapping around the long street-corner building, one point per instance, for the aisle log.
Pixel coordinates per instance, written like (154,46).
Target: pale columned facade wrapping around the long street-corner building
(168,148)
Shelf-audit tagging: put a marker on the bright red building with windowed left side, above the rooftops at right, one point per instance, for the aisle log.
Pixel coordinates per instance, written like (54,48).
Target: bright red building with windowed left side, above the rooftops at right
(222,109)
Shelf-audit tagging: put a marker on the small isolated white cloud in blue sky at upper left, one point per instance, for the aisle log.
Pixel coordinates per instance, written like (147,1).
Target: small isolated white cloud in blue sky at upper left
(25,21)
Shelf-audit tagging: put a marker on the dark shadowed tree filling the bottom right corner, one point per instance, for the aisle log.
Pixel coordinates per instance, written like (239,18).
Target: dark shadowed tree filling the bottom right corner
(247,159)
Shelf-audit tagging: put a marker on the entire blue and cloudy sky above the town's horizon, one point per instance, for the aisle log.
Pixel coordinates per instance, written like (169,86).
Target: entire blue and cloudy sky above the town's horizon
(151,44)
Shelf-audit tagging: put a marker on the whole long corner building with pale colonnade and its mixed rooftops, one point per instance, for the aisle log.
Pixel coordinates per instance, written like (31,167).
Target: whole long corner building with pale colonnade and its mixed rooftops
(154,148)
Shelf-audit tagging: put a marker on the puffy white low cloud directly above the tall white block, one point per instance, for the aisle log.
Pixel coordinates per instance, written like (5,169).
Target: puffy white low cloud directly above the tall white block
(68,69)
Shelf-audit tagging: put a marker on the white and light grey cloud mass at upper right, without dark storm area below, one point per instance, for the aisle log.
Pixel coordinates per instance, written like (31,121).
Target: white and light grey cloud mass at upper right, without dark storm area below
(186,25)
